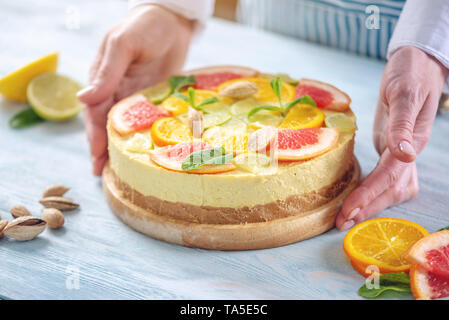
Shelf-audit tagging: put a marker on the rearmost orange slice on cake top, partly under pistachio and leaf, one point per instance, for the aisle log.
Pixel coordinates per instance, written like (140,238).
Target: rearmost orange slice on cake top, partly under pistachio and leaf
(265,93)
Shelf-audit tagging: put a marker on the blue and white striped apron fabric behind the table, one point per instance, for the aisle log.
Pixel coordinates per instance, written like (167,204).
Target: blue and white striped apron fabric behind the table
(336,23)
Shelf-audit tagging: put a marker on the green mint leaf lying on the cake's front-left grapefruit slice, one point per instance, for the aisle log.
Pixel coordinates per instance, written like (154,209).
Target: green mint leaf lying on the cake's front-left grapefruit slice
(199,158)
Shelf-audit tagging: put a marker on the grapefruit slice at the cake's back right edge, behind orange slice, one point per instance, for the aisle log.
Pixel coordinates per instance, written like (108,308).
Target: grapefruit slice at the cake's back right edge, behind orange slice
(325,95)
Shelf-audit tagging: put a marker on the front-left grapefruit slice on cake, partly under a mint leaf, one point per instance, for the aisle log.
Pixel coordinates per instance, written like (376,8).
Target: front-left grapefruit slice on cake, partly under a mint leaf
(171,158)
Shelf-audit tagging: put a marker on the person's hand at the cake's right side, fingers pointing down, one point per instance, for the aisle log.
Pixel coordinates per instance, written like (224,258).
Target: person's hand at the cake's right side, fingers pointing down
(409,94)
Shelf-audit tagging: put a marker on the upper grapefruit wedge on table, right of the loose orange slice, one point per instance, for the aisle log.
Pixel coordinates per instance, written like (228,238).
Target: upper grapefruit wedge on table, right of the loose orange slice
(432,253)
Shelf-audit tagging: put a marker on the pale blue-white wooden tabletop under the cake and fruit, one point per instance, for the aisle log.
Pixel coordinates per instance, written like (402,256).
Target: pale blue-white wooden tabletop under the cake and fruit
(113,261)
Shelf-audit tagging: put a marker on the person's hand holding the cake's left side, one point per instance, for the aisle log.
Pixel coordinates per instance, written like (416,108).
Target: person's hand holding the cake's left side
(146,47)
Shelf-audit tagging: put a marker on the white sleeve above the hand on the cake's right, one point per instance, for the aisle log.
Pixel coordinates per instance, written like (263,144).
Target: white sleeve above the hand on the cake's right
(425,25)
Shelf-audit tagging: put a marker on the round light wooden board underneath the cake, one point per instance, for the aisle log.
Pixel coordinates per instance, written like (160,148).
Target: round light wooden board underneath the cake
(258,235)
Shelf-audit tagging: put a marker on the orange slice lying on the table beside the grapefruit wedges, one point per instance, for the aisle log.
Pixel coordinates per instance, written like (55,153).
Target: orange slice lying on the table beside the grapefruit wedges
(382,242)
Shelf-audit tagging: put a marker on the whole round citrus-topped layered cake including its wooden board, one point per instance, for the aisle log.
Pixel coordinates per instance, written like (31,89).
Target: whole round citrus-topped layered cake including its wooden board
(227,157)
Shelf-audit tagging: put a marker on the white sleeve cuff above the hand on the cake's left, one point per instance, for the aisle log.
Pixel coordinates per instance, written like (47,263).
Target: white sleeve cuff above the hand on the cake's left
(198,10)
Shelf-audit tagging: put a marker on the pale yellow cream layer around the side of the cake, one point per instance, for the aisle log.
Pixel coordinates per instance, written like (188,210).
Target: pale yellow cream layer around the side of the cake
(234,189)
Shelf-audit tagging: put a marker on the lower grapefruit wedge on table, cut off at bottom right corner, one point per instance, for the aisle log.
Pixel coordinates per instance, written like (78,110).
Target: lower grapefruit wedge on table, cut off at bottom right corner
(427,285)
